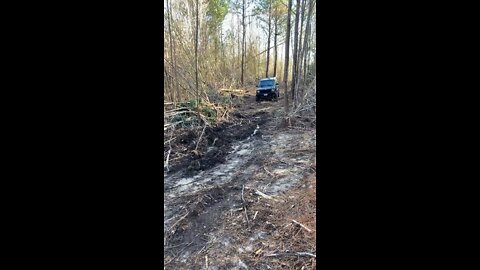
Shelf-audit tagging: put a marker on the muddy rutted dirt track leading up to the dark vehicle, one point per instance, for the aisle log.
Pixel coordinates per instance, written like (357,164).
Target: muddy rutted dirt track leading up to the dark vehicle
(209,194)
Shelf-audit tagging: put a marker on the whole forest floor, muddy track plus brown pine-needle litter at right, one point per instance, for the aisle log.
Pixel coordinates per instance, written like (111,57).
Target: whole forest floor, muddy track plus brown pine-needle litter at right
(244,196)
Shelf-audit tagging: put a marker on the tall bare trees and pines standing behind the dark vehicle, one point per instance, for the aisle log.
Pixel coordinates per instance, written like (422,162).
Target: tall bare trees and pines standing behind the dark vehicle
(230,44)
